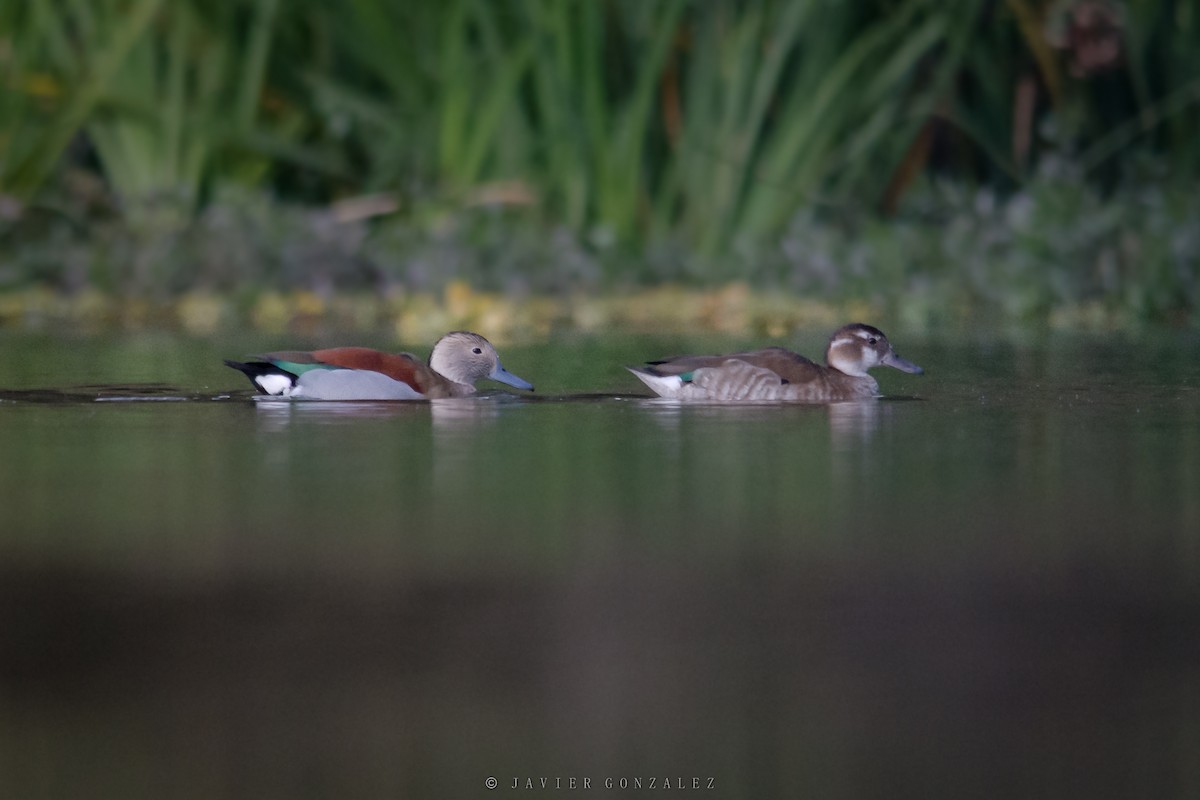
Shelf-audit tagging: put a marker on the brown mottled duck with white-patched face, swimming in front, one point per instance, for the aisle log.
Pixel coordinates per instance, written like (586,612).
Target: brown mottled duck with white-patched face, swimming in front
(779,375)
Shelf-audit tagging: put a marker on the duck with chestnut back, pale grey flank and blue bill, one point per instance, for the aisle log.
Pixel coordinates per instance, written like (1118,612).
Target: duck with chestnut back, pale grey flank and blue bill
(353,374)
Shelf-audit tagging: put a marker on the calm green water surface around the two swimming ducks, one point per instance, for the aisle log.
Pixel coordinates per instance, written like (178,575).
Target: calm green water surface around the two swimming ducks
(987,585)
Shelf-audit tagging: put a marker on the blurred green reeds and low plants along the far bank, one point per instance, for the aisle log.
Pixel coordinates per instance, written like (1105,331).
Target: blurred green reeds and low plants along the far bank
(1018,158)
